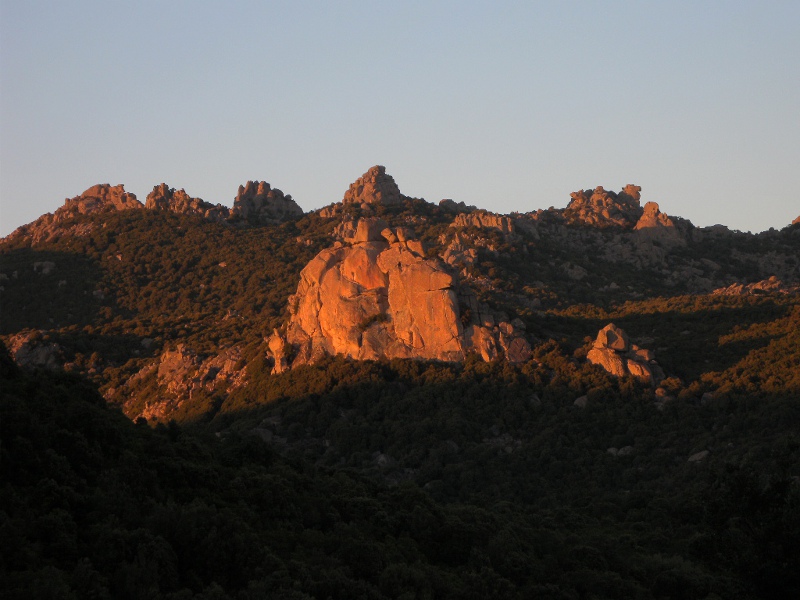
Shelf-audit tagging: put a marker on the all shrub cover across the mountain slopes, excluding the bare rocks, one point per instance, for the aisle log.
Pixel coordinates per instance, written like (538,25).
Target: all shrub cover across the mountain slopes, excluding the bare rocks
(394,479)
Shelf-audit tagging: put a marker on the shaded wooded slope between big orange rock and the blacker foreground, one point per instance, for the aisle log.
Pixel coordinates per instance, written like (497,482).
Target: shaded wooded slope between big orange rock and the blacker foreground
(455,432)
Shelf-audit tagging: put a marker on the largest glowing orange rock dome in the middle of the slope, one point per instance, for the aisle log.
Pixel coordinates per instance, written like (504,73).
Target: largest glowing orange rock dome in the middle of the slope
(379,297)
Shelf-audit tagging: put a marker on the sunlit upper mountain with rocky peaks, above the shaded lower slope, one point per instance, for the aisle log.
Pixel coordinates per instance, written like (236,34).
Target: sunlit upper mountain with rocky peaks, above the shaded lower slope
(377,276)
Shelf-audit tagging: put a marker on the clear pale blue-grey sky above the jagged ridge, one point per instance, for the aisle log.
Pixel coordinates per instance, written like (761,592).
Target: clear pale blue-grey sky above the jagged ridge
(509,106)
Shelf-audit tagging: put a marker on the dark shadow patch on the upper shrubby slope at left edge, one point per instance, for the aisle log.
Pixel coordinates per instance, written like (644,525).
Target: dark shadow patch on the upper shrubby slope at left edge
(47,290)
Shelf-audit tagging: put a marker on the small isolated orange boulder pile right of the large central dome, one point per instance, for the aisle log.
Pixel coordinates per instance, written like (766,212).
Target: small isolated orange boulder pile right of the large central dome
(613,351)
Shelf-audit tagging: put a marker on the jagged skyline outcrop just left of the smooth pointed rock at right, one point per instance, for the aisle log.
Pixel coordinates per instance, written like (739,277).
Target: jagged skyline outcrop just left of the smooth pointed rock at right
(601,208)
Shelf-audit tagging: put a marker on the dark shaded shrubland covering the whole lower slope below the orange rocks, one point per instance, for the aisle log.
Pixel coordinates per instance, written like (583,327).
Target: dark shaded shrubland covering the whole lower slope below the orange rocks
(487,494)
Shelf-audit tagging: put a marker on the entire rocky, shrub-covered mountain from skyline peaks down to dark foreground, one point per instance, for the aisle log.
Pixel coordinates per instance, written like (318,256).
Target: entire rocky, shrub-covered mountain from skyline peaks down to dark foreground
(392,398)
